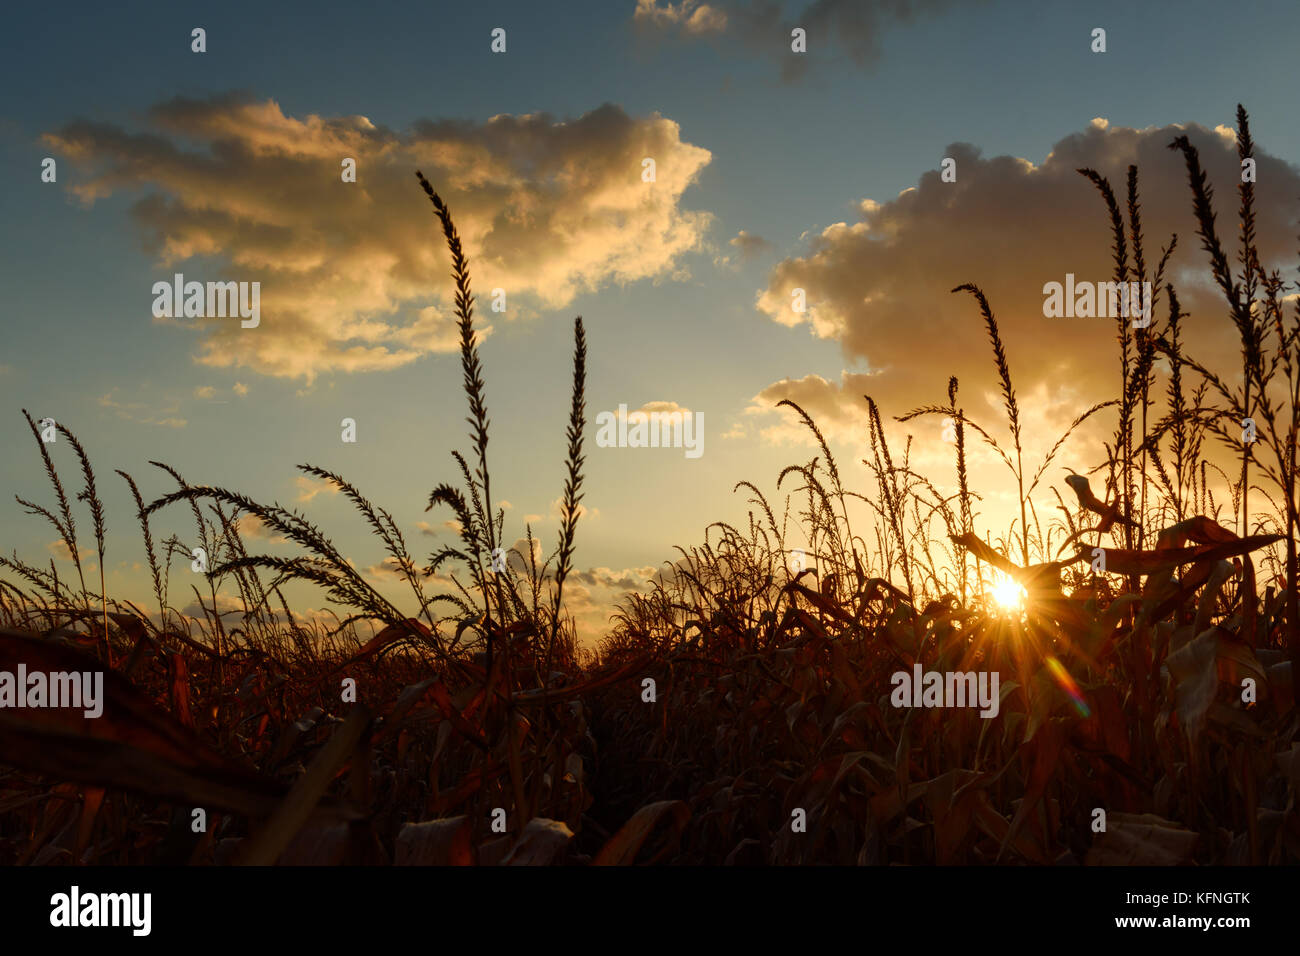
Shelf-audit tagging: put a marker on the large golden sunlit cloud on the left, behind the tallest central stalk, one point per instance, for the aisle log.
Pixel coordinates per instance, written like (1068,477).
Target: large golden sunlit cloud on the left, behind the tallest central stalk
(354,276)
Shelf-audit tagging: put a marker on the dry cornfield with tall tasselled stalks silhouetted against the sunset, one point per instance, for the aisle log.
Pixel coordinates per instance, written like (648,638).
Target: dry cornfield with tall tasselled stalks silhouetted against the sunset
(740,711)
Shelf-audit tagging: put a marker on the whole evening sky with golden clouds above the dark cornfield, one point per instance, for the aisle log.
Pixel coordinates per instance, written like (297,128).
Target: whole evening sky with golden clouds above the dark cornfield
(774,171)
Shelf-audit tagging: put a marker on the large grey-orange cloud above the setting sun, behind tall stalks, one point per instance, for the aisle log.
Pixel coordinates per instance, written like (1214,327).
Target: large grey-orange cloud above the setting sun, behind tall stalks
(881,287)
